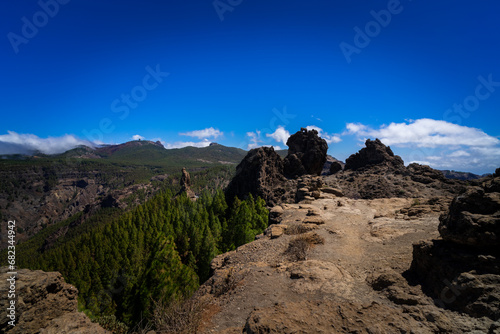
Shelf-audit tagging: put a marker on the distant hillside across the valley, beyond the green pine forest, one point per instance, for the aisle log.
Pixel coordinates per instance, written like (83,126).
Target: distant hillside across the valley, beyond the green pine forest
(42,190)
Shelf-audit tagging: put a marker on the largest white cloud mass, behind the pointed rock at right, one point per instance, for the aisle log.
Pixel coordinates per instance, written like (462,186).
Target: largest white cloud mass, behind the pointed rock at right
(440,144)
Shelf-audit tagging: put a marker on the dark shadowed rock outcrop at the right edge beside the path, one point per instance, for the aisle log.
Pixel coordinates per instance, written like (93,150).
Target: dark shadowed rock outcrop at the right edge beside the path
(462,271)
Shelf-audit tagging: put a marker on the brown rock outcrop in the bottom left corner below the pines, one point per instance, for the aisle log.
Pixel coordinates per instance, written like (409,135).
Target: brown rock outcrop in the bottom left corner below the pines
(45,304)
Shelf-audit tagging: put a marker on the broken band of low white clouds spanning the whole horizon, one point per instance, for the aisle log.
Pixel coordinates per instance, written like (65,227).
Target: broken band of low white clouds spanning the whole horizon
(440,144)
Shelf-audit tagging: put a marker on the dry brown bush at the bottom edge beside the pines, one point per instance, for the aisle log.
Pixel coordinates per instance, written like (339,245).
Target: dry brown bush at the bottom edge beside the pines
(178,317)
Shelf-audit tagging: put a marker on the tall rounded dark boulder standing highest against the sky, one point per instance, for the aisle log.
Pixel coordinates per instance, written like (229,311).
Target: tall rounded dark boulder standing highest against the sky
(306,154)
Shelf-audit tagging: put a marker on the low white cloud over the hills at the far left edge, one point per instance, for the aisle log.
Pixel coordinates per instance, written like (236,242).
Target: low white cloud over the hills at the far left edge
(13,143)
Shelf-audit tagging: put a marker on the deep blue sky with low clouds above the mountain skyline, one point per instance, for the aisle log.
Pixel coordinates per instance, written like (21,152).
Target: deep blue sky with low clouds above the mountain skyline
(423,76)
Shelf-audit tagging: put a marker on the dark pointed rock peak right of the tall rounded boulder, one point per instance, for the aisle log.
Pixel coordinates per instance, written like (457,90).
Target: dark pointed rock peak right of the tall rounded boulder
(375,153)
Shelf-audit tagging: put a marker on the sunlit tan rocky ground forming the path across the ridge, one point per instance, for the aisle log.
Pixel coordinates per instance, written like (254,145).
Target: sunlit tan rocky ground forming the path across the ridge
(334,265)
